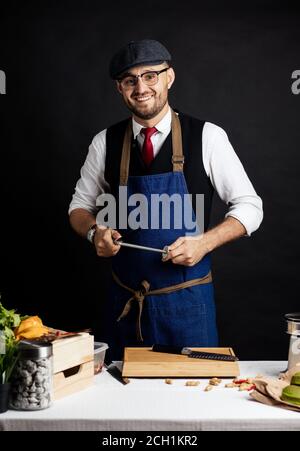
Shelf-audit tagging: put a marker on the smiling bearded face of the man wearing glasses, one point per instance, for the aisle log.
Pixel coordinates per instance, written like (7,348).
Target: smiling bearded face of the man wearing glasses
(147,102)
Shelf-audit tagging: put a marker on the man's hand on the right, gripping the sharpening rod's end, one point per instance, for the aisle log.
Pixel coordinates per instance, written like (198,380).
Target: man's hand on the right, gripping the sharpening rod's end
(187,250)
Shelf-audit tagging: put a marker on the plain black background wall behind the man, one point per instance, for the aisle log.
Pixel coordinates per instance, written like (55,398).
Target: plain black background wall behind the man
(233,67)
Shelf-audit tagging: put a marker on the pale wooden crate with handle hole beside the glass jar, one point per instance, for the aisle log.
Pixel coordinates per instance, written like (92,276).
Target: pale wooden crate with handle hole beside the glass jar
(73,364)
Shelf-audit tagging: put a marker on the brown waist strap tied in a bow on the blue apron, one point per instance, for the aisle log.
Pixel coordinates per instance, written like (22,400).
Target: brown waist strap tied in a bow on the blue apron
(140,294)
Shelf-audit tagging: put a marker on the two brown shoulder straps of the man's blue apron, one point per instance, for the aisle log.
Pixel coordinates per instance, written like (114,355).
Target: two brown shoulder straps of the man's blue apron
(177,156)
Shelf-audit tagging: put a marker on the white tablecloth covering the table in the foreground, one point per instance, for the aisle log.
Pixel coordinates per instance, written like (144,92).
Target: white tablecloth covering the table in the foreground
(152,405)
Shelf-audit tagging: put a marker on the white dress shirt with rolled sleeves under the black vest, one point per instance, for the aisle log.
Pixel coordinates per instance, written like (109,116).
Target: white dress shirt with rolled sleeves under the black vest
(220,161)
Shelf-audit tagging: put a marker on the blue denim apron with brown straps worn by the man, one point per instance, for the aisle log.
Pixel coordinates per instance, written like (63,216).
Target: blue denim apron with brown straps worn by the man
(185,317)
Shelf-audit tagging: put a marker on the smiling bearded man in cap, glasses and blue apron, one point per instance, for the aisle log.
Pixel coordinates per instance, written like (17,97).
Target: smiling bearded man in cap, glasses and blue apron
(165,300)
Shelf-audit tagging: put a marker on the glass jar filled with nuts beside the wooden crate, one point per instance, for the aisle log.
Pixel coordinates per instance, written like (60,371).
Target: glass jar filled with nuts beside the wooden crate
(32,381)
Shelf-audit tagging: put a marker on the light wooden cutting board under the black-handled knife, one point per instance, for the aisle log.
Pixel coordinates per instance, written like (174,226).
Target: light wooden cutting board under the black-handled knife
(143,362)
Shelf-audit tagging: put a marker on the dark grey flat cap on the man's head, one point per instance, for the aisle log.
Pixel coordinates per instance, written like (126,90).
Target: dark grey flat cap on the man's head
(136,53)
